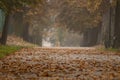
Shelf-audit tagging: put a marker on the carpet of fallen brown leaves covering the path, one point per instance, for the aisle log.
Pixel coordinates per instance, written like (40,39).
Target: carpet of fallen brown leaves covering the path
(60,64)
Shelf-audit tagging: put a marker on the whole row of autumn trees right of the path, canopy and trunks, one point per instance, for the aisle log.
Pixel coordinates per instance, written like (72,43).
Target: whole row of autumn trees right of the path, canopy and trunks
(88,17)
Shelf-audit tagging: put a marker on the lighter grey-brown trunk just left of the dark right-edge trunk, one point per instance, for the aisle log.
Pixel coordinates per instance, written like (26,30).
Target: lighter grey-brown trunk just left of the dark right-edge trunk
(106,31)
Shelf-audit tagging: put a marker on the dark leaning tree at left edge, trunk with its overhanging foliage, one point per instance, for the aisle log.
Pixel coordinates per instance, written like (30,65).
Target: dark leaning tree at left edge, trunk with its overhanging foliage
(9,7)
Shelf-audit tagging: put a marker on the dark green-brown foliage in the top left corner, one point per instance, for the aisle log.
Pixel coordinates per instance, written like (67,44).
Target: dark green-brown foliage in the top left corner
(12,5)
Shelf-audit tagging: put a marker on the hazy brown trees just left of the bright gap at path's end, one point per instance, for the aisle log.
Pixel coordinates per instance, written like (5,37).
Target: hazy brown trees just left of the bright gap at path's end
(35,21)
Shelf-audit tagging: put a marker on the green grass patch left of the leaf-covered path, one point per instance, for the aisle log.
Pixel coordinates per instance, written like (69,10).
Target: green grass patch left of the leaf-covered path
(6,50)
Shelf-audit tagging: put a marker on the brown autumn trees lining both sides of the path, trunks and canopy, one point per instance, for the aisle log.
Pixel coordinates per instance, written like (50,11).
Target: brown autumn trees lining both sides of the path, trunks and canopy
(97,20)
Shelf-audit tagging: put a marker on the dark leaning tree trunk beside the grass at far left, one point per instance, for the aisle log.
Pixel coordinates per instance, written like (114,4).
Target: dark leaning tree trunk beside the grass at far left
(5,30)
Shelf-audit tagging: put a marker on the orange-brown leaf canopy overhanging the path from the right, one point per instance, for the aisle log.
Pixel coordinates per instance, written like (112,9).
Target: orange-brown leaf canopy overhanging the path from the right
(81,14)
